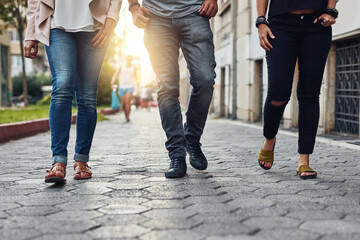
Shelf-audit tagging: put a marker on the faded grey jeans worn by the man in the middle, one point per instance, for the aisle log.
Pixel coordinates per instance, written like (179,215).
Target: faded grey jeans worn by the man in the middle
(163,38)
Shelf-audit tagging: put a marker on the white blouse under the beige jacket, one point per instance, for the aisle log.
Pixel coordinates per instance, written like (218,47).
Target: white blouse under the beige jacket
(73,16)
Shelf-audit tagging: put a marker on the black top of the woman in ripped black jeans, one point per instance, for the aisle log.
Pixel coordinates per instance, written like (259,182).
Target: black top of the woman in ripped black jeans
(278,7)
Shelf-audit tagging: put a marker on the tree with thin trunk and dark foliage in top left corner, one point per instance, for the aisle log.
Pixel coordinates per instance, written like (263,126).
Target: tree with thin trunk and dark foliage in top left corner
(12,13)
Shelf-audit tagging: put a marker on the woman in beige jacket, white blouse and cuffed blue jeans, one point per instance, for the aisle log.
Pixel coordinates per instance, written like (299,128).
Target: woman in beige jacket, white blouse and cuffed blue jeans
(76,35)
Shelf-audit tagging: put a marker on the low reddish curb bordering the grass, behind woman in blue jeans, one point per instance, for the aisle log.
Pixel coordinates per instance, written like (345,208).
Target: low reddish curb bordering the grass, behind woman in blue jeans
(13,131)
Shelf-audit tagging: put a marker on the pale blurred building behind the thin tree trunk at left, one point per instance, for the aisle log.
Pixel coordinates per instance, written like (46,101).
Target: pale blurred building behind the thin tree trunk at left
(38,65)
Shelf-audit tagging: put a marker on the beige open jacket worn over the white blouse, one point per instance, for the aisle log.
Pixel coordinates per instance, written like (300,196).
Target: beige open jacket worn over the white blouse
(39,15)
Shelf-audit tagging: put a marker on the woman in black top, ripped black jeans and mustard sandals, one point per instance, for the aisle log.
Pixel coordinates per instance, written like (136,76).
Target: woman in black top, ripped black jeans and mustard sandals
(295,31)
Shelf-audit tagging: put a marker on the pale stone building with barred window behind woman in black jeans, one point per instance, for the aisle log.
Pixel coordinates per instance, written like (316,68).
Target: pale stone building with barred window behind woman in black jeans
(241,81)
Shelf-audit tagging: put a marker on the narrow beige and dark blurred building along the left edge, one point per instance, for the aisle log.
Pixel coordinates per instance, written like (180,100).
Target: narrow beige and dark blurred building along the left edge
(5,69)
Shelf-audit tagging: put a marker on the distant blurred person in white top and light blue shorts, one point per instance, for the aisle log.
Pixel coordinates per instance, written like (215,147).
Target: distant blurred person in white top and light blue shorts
(126,77)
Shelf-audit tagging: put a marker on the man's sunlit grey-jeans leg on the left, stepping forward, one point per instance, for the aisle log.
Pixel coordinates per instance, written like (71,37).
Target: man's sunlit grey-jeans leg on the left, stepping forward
(161,40)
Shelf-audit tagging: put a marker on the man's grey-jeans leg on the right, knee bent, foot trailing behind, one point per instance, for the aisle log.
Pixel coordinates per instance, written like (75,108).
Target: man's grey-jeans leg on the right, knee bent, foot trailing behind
(198,48)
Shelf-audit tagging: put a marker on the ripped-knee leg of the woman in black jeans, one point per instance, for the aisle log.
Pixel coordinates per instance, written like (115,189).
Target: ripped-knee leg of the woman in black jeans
(281,62)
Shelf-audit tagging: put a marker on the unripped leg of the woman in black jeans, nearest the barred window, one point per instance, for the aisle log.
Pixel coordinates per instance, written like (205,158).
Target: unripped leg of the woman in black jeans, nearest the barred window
(314,48)
